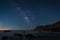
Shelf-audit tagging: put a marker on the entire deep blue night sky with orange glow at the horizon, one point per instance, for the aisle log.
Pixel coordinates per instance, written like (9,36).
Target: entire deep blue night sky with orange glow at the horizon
(26,14)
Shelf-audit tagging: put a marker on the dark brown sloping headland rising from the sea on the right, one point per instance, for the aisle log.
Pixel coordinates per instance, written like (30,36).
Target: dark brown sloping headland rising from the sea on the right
(52,27)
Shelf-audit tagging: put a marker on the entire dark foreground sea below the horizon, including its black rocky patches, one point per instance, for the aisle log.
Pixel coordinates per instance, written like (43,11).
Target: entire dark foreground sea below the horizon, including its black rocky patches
(28,35)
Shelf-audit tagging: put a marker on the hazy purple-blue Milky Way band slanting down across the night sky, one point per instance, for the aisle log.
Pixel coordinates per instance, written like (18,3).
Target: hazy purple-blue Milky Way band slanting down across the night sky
(28,15)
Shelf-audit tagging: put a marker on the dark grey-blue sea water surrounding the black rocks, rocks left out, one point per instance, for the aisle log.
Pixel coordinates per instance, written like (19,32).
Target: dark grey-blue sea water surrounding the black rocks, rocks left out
(43,35)
